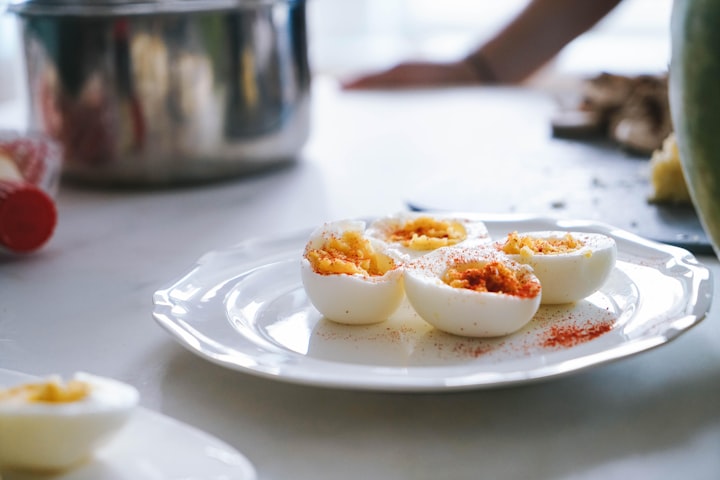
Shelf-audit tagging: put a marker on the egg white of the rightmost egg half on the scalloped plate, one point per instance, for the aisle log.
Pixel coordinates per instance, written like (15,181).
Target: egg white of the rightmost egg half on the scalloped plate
(572,276)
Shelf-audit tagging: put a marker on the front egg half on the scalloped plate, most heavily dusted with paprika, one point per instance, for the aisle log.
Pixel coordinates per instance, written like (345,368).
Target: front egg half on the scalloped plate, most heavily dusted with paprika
(472,292)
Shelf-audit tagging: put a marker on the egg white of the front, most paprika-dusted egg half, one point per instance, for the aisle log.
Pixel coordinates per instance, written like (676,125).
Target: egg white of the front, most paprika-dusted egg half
(463,311)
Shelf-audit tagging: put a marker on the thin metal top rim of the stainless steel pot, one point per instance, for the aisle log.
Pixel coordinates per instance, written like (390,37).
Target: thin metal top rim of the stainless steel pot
(92,8)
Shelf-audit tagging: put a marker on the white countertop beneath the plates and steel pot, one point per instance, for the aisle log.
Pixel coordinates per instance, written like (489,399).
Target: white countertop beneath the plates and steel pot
(84,303)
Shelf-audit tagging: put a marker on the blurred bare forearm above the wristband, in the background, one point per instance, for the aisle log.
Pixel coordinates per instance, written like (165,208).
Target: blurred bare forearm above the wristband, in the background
(535,36)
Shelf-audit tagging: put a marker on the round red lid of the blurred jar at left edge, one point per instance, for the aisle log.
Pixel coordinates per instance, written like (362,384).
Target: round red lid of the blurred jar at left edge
(27,216)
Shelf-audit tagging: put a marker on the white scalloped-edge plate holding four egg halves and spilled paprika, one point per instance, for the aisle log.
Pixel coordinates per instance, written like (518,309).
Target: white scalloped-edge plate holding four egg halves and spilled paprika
(245,308)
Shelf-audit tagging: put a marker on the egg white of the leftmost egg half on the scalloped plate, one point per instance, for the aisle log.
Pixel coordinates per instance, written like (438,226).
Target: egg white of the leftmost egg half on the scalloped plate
(351,299)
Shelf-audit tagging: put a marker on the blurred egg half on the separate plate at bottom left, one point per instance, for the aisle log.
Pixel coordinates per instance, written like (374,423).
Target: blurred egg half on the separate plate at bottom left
(51,425)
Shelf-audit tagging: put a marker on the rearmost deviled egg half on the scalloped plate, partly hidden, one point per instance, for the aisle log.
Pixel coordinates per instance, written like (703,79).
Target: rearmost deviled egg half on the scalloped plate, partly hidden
(411,234)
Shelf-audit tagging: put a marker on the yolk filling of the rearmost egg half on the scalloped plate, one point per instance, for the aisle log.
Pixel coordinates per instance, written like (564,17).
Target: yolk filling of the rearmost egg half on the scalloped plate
(425,233)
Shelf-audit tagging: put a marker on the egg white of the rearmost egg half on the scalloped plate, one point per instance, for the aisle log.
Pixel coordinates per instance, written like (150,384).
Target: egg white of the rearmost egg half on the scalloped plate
(382,228)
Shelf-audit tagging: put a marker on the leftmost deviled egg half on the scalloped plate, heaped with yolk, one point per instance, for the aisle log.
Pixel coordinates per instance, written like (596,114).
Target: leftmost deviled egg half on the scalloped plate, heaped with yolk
(348,277)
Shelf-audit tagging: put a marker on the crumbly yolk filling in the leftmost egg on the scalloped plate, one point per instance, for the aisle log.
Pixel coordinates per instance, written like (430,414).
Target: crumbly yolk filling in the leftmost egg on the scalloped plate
(350,254)
